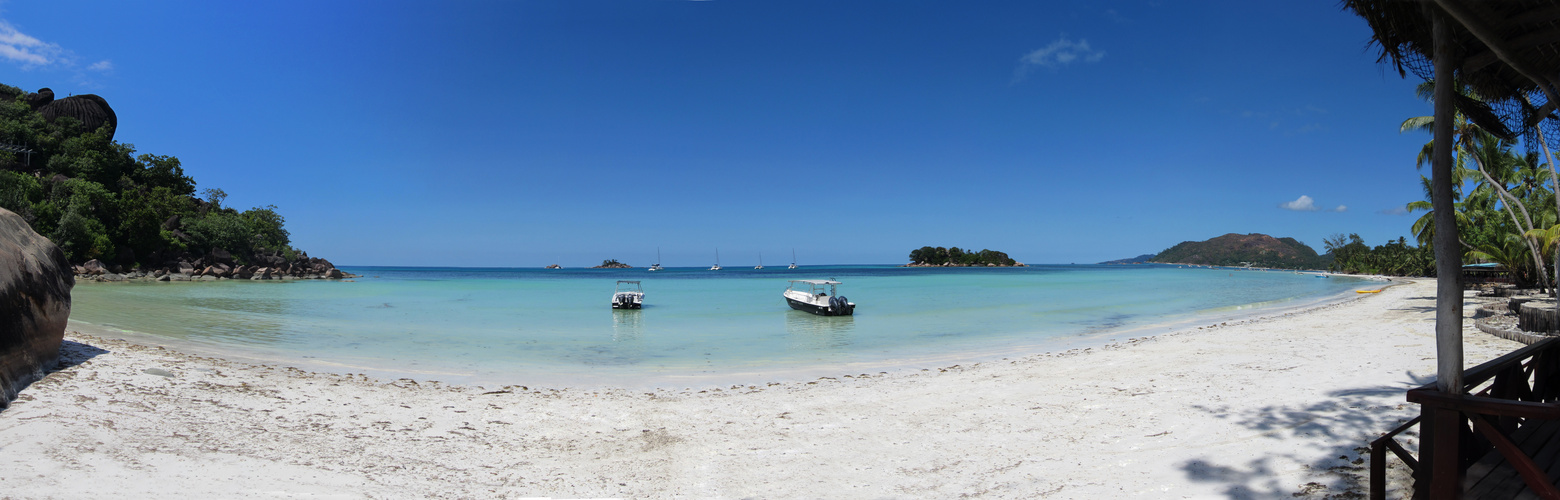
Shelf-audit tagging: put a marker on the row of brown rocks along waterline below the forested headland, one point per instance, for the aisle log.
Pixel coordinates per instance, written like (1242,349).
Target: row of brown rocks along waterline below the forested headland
(216,267)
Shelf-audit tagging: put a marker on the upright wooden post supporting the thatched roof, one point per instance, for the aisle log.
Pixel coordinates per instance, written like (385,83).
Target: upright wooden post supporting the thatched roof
(1448,258)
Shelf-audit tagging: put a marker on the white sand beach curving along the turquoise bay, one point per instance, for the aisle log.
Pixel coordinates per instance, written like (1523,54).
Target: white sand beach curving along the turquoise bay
(1263,409)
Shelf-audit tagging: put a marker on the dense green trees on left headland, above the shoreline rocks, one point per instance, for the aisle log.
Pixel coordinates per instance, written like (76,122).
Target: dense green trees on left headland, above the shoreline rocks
(97,199)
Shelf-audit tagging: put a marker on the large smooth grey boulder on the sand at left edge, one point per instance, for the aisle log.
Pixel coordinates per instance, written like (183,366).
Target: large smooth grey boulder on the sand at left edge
(35,303)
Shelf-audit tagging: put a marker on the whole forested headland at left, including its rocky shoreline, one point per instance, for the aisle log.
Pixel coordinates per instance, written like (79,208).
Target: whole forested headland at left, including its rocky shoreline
(121,214)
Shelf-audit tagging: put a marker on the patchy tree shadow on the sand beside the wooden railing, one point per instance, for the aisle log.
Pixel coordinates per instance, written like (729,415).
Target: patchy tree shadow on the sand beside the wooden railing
(1347,421)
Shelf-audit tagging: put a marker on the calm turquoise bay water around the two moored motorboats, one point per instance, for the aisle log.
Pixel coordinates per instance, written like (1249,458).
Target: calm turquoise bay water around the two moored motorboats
(556,326)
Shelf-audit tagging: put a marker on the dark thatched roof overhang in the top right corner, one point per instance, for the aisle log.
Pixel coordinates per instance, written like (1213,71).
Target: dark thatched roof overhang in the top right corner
(1508,55)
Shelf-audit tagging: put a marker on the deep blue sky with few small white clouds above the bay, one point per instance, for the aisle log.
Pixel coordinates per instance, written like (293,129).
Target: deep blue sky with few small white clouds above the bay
(533,133)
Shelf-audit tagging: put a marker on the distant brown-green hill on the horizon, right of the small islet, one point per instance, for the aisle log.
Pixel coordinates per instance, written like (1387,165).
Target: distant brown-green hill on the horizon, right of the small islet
(1233,250)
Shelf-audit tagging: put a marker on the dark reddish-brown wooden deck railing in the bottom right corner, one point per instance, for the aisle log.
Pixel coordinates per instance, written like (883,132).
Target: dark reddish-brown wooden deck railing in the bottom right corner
(1505,406)
